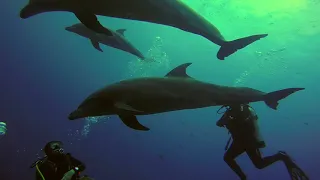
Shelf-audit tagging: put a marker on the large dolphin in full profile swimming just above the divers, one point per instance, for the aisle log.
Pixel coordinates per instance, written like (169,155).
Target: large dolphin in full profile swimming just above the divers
(175,91)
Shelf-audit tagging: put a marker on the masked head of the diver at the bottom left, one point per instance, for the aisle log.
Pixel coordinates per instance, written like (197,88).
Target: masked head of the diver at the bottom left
(54,149)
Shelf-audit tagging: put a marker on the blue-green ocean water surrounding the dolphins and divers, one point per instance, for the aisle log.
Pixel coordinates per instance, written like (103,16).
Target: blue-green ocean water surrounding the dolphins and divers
(46,72)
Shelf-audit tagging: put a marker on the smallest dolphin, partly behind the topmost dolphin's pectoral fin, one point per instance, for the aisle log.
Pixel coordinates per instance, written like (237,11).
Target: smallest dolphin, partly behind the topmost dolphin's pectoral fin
(117,41)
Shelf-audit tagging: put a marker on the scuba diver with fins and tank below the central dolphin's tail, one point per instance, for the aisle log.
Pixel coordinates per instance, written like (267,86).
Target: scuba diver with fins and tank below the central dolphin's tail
(241,121)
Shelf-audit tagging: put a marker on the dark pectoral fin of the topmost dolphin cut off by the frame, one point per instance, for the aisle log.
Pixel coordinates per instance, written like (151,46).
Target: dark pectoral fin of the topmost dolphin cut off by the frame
(91,21)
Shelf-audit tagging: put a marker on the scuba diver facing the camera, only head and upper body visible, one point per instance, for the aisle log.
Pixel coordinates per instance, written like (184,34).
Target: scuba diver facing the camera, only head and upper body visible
(56,165)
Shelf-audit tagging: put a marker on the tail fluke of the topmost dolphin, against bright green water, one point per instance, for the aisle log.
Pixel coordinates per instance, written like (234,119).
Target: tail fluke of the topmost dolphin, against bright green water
(231,47)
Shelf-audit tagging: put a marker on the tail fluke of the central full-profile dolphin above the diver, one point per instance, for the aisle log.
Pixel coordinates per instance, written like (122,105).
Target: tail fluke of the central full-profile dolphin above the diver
(271,99)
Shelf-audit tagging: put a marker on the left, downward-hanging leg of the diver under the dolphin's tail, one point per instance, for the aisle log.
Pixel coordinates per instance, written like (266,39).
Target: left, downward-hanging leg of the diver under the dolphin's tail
(234,151)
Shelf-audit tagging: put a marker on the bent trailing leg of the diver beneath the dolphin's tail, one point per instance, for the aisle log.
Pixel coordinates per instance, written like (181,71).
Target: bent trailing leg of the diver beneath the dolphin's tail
(262,162)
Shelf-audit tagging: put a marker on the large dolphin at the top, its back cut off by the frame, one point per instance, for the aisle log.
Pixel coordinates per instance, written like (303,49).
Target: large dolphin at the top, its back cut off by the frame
(166,12)
